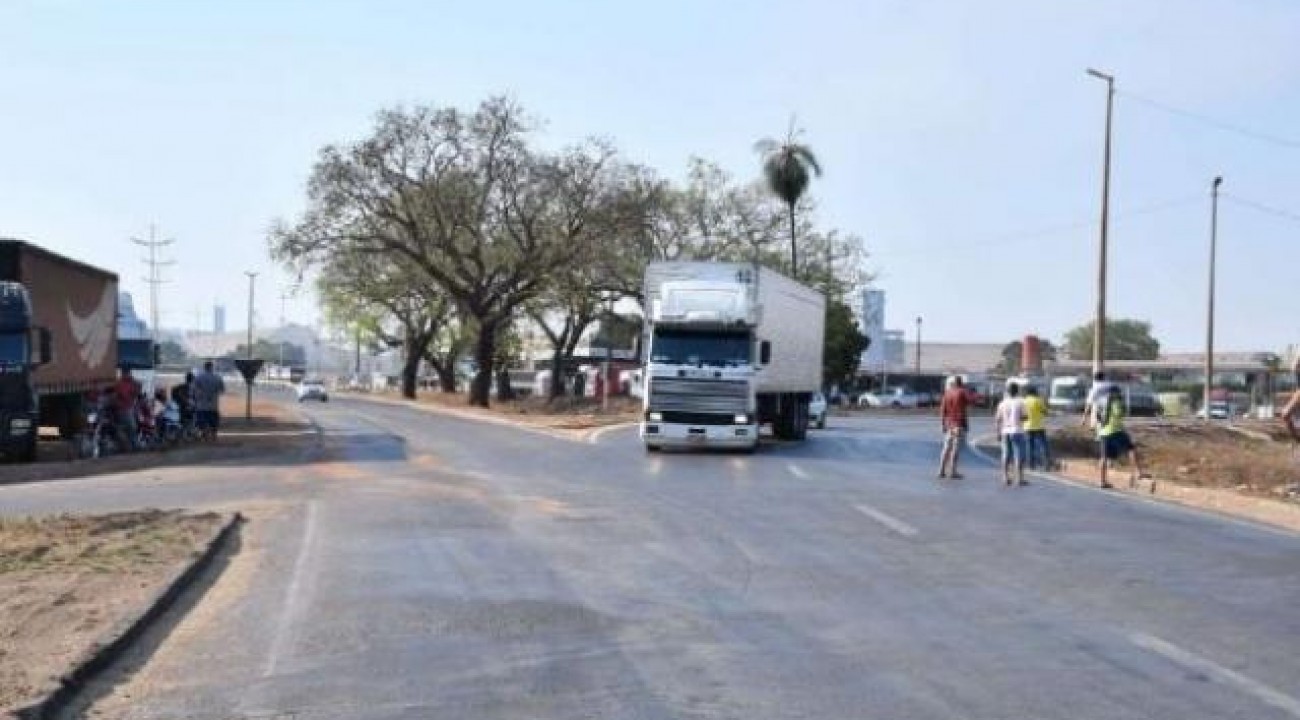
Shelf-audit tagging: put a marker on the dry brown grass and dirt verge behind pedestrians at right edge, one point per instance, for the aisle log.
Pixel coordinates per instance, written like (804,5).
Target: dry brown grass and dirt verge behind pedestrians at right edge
(1247,459)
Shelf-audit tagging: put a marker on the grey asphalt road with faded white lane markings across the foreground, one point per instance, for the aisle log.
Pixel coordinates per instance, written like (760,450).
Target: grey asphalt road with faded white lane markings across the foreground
(428,567)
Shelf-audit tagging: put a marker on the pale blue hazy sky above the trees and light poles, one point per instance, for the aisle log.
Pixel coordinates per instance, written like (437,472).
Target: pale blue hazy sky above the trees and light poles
(961,141)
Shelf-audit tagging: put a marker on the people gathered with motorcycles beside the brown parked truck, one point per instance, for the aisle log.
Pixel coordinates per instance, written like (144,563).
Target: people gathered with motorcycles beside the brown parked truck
(128,407)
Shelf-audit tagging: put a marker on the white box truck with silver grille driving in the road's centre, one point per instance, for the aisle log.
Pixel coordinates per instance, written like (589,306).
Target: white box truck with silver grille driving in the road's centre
(727,348)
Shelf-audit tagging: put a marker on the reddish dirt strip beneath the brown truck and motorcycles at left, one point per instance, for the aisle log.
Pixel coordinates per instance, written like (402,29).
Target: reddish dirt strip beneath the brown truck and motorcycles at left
(274,428)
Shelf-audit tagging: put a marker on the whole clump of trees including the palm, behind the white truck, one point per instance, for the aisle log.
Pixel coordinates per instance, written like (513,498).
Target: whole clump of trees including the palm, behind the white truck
(452,233)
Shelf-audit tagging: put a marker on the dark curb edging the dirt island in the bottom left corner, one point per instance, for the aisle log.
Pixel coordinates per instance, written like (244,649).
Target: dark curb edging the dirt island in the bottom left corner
(122,640)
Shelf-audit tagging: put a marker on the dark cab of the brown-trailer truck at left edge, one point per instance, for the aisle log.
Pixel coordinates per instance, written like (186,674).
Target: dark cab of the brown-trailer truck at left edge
(23,348)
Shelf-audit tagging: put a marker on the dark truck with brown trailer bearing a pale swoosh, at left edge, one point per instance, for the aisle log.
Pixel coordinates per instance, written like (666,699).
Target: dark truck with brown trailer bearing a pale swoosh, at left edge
(58,341)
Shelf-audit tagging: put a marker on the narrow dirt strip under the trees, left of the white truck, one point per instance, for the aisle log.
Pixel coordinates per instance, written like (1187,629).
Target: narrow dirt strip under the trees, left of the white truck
(562,414)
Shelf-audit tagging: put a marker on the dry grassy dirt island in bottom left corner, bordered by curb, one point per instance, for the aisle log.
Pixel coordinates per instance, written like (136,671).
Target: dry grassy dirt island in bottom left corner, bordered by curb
(68,583)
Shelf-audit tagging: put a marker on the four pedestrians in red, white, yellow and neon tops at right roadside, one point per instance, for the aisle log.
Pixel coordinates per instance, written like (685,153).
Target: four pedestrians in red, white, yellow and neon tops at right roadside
(1021,426)
